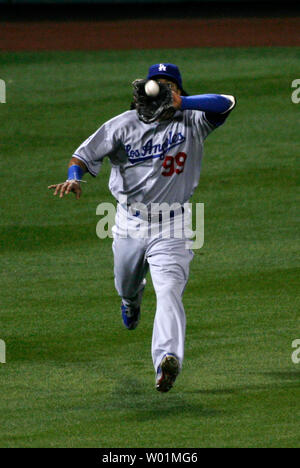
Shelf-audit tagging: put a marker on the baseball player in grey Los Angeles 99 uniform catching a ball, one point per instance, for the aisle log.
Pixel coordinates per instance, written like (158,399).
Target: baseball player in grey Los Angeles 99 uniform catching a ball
(155,151)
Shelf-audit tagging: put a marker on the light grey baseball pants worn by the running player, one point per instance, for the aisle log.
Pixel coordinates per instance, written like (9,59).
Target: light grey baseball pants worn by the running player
(168,260)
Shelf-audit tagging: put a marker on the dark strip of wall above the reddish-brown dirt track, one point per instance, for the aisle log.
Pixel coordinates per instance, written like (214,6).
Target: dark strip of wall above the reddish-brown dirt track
(131,8)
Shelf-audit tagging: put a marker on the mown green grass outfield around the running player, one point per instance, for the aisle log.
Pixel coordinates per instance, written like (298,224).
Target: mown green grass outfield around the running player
(74,376)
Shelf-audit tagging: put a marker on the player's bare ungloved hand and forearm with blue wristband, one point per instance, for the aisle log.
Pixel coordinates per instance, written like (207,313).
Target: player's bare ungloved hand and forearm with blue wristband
(76,170)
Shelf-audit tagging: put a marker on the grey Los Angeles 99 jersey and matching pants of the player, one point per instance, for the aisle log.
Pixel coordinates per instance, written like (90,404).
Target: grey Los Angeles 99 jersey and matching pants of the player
(151,163)
